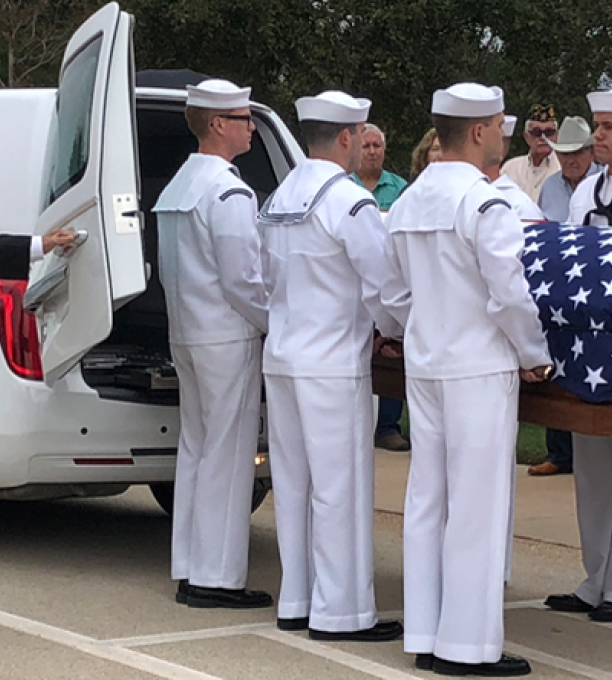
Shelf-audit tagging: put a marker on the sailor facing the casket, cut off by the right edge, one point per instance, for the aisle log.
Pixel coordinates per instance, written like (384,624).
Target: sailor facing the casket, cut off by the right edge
(591,204)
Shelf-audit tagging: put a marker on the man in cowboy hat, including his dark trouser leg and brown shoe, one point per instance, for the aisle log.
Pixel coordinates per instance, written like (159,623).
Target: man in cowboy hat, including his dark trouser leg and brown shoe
(574,149)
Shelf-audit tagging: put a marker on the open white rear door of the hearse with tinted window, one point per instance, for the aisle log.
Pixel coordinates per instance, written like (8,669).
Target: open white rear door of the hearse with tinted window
(90,185)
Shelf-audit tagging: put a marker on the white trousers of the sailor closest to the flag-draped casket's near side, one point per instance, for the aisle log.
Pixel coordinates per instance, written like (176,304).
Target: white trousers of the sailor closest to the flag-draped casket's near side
(463,435)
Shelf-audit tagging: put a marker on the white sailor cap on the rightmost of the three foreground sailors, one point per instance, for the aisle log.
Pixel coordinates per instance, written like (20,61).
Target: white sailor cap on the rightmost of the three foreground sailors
(468,100)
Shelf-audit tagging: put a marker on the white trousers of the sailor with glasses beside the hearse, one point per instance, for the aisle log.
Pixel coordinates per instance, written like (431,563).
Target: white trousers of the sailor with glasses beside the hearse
(220,392)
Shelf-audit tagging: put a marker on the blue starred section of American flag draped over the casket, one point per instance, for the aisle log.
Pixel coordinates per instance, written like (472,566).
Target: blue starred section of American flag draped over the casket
(569,271)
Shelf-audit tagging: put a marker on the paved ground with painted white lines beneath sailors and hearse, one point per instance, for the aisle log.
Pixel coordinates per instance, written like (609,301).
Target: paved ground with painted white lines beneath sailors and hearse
(85,593)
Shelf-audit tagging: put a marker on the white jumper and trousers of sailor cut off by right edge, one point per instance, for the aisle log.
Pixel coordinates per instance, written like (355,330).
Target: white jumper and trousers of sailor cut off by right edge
(593,455)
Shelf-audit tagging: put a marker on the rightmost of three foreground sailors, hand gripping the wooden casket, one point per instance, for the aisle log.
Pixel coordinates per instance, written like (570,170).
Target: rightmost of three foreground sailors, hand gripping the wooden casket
(454,252)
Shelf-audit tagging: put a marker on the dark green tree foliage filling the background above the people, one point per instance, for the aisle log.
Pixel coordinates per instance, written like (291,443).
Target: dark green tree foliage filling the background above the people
(396,52)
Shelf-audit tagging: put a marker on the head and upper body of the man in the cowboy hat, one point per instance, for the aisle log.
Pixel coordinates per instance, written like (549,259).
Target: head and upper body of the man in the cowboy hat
(574,149)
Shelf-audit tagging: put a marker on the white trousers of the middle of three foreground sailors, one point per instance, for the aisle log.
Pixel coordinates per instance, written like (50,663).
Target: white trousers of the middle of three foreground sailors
(321,451)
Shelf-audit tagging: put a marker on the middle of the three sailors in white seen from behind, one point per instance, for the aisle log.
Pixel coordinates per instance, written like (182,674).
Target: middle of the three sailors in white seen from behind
(323,246)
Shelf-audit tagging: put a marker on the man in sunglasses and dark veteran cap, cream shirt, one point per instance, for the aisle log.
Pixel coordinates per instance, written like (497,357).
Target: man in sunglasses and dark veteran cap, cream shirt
(531,171)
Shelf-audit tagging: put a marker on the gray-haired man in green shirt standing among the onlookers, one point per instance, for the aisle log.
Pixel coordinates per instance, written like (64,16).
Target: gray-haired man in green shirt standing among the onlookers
(386,188)
